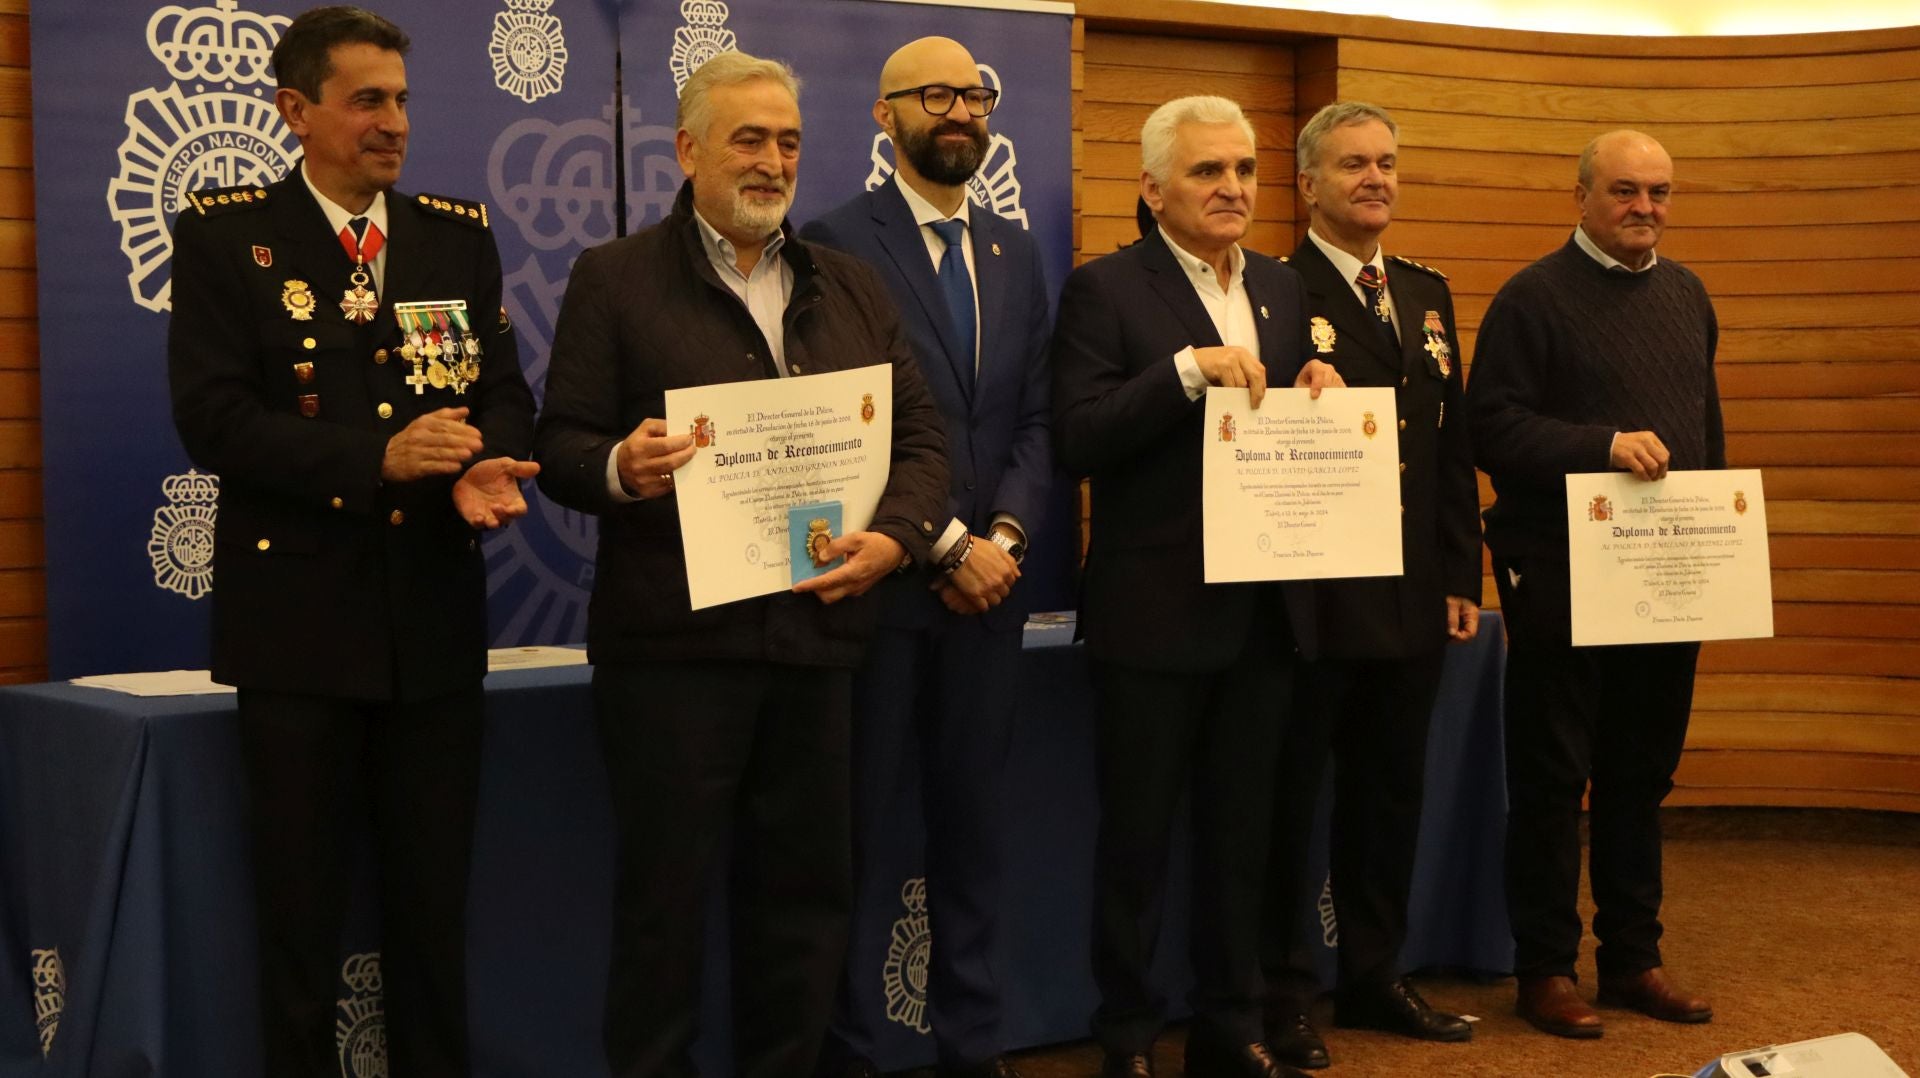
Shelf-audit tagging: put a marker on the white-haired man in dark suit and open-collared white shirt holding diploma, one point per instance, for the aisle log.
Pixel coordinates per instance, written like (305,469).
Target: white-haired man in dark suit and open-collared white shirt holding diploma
(1191,679)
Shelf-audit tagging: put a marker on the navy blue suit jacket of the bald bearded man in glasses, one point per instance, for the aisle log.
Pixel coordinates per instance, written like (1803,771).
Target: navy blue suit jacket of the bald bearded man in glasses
(997,422)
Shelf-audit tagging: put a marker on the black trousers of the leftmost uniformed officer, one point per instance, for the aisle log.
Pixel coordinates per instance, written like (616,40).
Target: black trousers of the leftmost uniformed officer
(318,770)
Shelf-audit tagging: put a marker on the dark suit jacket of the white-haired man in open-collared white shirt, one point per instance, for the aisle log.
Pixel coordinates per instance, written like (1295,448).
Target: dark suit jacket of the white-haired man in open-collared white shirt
(1124,420)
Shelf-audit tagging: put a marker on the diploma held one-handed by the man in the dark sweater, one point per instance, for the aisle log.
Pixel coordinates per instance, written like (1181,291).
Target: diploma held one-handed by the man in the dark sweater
(1683,558)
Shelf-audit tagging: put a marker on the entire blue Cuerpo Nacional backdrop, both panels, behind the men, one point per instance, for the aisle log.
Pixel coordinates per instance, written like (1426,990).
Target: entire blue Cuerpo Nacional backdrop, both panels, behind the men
(514,103)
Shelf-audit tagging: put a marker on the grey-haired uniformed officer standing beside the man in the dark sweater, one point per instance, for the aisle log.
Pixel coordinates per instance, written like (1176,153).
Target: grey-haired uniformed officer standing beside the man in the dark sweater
(1381,322)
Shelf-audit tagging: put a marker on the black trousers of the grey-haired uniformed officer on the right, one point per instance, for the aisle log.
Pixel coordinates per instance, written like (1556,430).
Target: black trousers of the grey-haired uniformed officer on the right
(1370,720)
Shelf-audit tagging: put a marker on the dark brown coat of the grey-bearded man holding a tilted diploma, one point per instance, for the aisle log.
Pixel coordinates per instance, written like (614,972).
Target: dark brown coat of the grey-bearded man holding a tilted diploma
(650,314)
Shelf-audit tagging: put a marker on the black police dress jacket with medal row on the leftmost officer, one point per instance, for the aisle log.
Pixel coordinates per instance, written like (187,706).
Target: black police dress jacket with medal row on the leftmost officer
(329,581)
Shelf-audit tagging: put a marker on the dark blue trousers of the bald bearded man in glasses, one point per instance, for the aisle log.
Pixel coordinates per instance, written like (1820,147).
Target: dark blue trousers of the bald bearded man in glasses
(936,704)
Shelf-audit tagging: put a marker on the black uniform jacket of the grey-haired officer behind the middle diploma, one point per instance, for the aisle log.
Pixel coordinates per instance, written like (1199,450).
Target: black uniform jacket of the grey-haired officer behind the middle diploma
(1391,618)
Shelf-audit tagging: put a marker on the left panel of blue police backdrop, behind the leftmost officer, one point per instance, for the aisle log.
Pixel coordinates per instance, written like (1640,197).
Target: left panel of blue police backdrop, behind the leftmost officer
(135,105)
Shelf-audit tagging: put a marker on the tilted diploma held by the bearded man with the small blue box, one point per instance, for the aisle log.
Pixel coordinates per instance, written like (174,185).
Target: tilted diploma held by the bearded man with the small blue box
(775,445)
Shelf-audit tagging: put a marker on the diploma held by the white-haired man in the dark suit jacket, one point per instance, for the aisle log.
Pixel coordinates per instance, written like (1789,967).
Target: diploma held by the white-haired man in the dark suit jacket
(1301,489)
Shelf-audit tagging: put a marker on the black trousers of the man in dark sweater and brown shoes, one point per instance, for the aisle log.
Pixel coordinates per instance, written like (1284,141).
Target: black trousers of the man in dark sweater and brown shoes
(1600,722)
